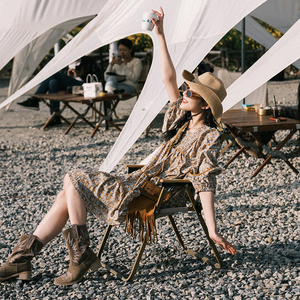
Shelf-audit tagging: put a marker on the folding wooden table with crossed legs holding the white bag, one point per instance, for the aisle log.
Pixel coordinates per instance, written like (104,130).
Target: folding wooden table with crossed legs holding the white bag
(68,99)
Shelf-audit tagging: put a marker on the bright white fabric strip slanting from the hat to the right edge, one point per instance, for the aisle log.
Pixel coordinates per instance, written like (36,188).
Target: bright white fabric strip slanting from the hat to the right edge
(282,54)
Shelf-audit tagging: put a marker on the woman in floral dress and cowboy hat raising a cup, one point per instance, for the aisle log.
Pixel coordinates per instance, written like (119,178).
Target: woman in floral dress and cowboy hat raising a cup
(189,151)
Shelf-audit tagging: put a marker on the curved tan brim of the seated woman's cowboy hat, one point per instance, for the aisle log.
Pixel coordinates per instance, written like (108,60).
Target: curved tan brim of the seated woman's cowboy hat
(206,93)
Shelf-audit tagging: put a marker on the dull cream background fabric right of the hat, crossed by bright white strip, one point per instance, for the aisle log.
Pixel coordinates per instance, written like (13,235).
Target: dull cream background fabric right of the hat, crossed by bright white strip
(257,96)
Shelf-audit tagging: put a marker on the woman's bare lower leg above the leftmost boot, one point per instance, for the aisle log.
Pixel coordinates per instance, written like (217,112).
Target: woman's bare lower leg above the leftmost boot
(54,220)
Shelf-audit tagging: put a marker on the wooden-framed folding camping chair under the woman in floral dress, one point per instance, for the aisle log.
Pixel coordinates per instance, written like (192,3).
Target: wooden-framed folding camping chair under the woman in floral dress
(161,212)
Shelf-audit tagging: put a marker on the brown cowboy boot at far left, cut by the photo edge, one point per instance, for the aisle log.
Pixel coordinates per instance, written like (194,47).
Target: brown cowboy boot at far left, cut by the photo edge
(18,262)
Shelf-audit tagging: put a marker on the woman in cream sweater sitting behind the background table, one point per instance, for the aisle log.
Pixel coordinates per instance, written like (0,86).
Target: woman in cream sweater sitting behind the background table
(124,64)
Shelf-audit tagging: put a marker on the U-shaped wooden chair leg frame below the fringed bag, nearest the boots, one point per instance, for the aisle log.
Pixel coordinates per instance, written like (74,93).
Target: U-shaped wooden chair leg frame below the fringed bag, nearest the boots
(135,265)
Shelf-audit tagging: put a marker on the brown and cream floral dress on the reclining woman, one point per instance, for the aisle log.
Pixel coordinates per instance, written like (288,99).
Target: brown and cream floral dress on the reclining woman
(190,155)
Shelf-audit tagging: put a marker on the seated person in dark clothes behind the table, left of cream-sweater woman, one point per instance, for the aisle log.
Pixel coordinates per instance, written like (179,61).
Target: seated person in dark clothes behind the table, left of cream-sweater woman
(77,73)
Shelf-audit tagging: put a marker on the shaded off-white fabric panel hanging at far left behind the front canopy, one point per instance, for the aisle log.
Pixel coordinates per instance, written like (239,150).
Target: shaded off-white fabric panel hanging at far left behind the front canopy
(27,60)
